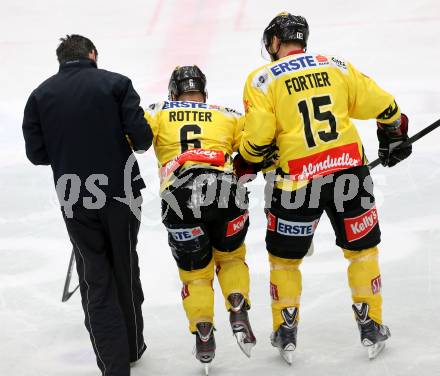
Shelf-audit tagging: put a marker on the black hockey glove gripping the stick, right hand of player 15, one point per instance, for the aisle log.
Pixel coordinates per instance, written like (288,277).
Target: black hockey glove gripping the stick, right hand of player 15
(390,138)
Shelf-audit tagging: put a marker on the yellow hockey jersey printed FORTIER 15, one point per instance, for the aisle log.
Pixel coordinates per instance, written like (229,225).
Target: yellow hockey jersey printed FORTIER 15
(303,103)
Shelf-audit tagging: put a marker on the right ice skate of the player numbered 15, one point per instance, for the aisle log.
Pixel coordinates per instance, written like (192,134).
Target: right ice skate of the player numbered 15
(373,335)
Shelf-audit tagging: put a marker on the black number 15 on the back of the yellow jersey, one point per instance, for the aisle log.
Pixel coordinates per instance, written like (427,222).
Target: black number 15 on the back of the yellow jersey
(317,102)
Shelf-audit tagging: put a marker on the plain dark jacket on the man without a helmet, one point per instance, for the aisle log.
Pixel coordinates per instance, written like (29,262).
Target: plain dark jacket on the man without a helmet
(76,121)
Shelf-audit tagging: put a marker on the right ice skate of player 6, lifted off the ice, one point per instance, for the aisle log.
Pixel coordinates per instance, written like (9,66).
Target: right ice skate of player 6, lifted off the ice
(241,328)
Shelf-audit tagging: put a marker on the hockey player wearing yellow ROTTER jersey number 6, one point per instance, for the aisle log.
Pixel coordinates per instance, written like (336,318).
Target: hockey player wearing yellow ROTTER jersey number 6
(205,216)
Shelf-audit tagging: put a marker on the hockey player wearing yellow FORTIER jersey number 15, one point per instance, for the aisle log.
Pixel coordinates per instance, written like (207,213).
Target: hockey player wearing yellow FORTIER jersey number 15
(298,111)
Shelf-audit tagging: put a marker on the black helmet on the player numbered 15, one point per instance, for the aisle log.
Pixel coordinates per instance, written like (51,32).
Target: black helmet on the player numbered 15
(287,27)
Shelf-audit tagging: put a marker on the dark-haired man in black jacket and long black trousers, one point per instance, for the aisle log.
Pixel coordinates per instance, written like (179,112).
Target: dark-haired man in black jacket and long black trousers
(84,122)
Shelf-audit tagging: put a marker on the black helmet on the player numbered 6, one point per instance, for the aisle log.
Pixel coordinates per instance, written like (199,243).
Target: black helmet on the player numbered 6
(186,79)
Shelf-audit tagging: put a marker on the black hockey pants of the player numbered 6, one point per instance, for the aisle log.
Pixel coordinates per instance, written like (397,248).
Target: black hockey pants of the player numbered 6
(222,223)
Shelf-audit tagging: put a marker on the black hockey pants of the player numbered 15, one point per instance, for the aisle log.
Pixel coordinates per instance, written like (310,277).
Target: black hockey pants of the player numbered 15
(290,231)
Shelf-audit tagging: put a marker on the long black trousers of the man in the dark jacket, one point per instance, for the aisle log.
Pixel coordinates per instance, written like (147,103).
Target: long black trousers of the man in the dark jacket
(104,241)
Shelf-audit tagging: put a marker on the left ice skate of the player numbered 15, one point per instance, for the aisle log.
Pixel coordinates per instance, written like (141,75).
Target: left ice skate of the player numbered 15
(285,337)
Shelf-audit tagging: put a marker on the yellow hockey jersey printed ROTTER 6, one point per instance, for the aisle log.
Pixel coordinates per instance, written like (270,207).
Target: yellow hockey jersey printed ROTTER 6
(193,135)
